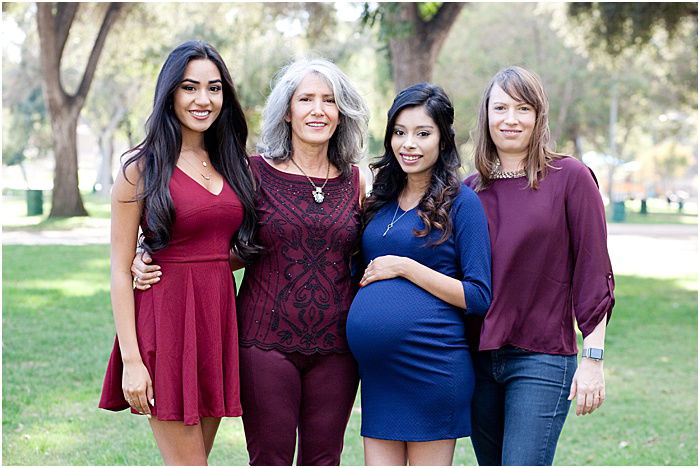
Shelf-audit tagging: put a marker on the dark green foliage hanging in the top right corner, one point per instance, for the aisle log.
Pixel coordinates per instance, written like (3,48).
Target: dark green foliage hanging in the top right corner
(616,26)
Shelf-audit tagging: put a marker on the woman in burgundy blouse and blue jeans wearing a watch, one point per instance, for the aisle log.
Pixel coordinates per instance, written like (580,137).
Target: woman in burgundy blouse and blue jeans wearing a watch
(550,269)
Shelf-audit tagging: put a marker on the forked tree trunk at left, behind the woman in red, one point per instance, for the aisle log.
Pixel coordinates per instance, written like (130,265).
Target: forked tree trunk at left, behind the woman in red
(53,23)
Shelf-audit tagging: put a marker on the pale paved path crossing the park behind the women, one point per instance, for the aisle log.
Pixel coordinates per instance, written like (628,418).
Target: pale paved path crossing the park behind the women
(655,250)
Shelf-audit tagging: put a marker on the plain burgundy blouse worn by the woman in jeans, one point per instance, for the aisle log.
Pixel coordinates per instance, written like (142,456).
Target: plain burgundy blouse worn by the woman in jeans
(549,258)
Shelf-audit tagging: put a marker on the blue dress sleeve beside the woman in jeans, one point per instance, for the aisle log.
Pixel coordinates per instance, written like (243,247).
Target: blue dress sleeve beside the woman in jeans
(474,251)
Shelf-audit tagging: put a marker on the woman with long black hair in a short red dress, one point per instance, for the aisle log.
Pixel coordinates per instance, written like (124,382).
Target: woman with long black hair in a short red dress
(189,187)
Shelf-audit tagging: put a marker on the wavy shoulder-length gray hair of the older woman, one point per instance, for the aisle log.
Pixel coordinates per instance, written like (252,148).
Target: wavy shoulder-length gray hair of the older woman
(347,143)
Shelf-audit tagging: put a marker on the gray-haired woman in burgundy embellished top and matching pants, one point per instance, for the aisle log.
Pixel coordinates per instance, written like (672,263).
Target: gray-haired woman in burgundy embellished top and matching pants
(297,373)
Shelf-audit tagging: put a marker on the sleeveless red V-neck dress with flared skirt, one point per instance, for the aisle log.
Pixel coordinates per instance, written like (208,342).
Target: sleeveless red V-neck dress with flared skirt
(186,323)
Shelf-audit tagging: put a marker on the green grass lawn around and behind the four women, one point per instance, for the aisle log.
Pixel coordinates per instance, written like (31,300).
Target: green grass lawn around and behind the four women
(58,333)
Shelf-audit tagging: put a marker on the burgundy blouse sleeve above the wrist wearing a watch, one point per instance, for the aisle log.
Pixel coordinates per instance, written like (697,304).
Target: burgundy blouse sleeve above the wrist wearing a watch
(592,278)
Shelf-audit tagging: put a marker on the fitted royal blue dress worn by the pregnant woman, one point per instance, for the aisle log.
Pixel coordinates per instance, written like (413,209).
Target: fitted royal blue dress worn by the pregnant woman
(416,372)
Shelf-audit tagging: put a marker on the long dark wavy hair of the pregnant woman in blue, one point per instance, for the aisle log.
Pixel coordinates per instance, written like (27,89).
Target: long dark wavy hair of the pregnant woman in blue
(434,208)
